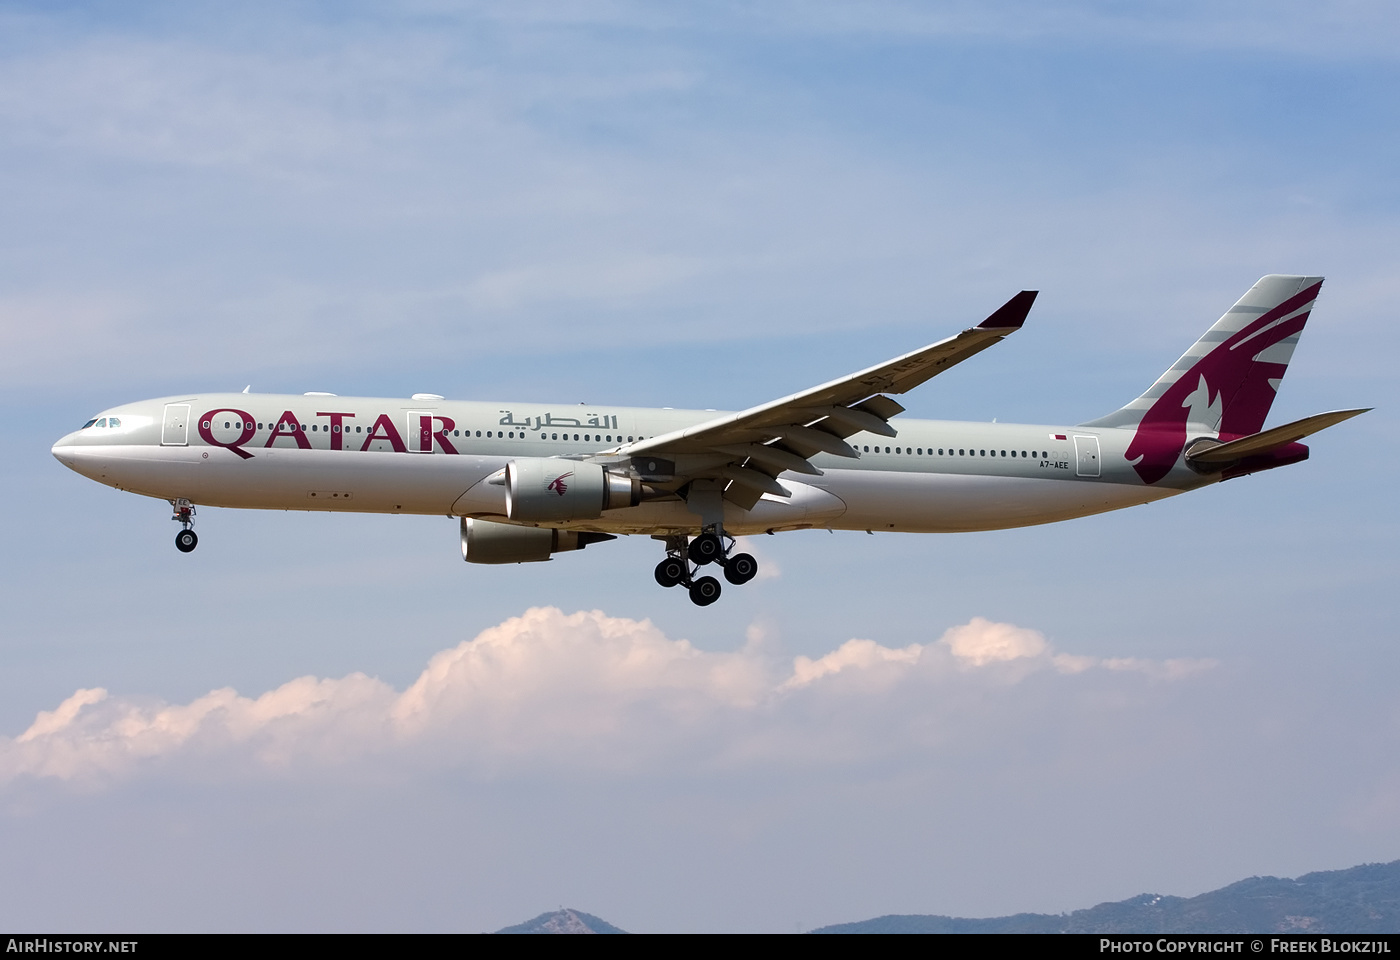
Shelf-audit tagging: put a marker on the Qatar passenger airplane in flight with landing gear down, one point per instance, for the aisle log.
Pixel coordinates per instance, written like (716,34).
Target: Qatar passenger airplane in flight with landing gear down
(528,481)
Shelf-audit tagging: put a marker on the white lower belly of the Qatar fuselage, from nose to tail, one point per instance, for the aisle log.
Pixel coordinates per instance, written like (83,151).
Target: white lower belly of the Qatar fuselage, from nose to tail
(425,483)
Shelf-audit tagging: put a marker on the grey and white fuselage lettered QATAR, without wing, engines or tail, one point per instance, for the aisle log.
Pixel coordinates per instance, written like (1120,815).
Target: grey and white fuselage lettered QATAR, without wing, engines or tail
(437,457)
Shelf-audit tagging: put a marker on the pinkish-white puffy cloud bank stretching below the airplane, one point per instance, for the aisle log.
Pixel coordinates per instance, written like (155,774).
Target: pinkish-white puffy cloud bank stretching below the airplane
(549,689)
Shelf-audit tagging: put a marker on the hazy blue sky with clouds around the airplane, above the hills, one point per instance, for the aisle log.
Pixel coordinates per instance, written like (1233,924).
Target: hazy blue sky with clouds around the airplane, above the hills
(328,723)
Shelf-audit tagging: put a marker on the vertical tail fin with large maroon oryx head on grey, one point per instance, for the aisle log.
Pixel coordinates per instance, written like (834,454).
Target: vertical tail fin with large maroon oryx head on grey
(1224,386)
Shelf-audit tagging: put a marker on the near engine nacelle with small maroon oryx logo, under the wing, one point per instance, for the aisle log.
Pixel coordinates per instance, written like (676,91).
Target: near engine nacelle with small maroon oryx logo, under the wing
(540,489)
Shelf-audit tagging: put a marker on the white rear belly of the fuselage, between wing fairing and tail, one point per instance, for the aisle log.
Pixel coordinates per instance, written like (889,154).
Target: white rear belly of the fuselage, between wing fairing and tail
(943,503)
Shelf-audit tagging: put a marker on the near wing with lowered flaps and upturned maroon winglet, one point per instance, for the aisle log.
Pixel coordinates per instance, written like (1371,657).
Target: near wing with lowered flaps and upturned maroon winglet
(751,449)
